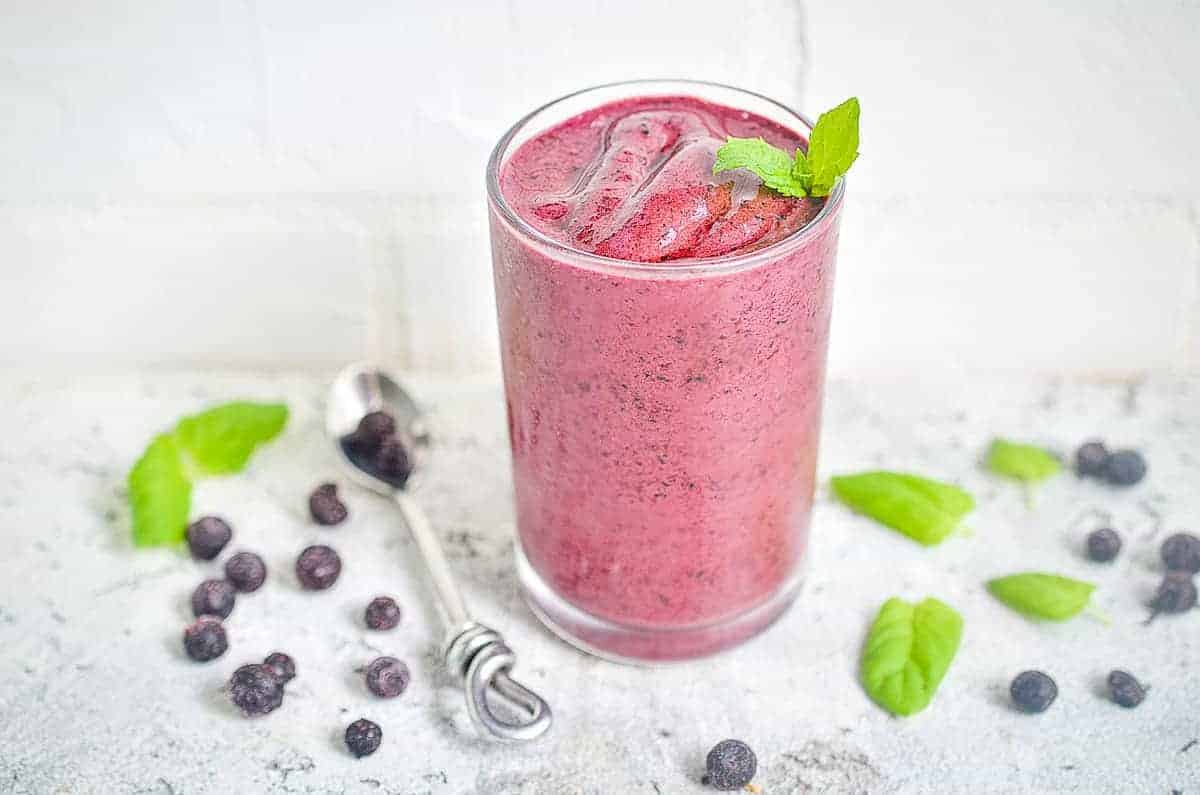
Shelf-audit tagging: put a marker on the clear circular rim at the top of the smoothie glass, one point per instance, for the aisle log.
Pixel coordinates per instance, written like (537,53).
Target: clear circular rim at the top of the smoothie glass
(679,267)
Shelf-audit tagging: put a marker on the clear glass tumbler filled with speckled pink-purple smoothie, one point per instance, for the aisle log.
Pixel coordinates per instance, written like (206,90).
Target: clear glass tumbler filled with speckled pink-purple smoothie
(664,338)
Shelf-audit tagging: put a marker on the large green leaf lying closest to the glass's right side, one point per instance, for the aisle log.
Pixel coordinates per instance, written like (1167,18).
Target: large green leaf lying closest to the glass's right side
(926,511)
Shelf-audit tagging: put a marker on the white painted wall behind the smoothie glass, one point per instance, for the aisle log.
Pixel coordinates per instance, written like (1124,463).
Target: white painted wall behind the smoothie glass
(287,183)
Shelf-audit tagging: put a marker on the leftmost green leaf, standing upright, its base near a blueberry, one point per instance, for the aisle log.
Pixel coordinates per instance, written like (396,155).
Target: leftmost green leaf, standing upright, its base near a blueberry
(160,494)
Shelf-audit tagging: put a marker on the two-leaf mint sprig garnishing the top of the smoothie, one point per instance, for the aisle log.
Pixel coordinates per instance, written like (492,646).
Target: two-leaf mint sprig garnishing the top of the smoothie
(833,148)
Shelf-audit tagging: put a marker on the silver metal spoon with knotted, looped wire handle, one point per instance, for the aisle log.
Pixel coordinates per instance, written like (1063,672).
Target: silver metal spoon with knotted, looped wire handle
(473,653)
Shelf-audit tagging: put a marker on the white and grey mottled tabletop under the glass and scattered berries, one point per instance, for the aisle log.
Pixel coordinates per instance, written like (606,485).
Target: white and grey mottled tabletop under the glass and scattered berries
(97,696)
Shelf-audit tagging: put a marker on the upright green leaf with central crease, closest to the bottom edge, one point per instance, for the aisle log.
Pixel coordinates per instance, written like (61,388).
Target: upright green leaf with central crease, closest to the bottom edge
(908,653)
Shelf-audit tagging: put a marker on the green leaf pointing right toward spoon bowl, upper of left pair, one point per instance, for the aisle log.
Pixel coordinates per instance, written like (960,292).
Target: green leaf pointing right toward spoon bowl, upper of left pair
(221,440)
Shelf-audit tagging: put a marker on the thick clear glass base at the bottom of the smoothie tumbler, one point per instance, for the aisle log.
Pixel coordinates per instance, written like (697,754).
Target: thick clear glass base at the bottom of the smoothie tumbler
(643,645)
